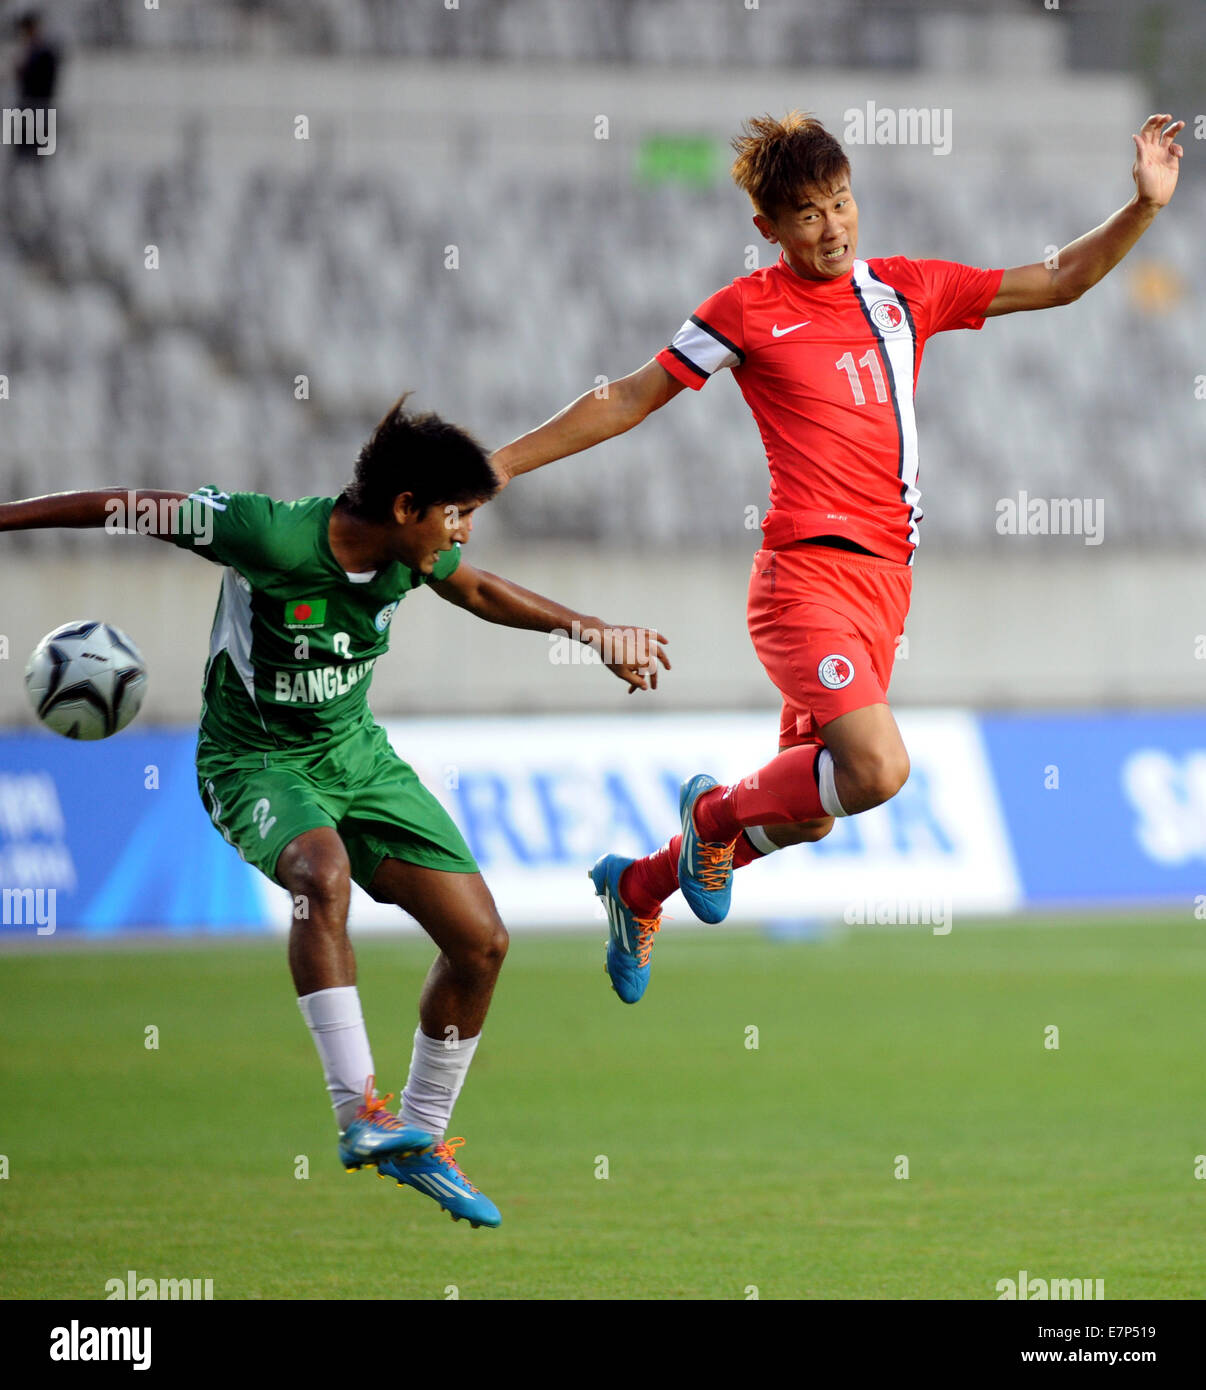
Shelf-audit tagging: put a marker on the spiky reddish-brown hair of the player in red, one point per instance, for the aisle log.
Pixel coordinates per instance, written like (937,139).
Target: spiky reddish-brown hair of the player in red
(777,161)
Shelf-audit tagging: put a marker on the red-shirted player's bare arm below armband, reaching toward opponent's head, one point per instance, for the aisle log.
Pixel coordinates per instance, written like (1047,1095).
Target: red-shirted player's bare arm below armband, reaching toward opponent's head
(595,416)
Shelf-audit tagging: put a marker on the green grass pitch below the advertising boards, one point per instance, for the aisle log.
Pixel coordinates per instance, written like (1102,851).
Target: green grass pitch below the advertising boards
(727,1166)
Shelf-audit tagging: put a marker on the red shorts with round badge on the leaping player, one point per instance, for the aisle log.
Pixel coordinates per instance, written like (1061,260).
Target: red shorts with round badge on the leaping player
(825,625)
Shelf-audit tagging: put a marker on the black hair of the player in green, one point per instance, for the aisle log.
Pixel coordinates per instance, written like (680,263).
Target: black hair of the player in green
(436,462)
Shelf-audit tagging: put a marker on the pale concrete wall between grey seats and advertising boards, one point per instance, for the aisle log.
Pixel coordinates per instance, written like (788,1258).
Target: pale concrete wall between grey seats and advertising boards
(1048,626)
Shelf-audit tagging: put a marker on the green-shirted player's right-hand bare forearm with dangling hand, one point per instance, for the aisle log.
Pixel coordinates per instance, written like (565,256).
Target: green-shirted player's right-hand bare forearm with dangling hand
(630,653)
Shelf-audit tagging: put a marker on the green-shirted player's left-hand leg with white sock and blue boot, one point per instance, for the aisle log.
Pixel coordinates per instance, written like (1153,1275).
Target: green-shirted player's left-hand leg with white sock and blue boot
(316,872)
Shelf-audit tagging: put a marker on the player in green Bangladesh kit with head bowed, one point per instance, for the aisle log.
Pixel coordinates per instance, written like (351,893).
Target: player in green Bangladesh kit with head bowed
(302,782)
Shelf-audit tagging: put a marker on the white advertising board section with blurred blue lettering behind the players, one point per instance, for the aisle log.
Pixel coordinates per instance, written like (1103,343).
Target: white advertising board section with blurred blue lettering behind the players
(540,800)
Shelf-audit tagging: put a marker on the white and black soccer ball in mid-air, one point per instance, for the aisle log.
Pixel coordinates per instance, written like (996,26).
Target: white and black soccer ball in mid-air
(85,680)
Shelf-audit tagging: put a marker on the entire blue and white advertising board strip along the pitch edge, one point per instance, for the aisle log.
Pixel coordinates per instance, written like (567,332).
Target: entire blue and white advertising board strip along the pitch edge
(1001,812)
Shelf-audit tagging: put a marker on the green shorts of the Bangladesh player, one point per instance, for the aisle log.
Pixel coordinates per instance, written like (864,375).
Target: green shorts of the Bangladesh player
(359,787)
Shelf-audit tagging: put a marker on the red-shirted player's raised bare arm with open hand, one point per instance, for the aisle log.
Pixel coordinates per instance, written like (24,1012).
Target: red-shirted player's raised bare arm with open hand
(1086,261)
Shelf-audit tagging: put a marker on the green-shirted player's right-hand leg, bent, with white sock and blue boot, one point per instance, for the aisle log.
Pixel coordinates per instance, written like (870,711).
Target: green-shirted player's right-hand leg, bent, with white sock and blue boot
(458,913)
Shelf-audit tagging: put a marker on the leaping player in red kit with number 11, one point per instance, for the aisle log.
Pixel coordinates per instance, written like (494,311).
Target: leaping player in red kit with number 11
(826,350)
